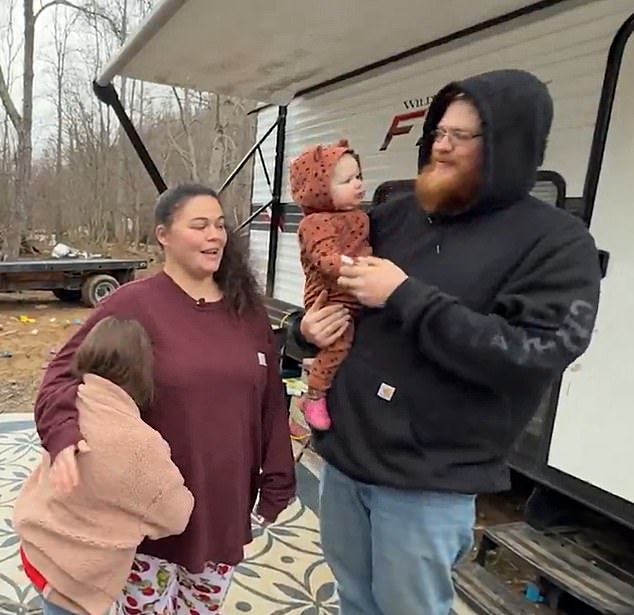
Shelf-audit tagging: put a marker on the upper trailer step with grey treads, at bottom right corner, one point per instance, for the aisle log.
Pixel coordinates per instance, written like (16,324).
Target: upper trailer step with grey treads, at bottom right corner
(564,569)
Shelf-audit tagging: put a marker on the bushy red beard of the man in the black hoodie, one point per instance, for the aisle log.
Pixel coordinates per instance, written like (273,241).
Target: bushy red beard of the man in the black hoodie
(443,192)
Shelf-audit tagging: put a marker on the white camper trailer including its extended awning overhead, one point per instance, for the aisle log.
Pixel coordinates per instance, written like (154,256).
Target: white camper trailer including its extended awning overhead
(366,71)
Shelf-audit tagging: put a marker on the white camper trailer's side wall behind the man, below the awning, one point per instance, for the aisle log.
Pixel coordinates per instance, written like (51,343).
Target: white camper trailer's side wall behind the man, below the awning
(381,113)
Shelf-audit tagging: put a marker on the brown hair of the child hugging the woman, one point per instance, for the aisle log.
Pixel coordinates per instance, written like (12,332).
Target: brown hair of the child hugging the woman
(119,351)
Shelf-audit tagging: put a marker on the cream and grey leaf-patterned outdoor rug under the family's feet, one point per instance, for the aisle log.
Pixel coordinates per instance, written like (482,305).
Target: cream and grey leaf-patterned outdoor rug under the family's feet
(284,572)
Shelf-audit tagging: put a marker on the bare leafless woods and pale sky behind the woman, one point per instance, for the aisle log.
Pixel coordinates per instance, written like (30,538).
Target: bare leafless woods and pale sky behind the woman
(83,184)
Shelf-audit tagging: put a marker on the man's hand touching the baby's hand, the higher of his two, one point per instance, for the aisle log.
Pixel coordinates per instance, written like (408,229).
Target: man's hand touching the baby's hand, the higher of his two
(371,280)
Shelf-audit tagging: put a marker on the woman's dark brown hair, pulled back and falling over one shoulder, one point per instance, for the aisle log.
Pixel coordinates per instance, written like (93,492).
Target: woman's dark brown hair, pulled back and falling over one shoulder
(234,276)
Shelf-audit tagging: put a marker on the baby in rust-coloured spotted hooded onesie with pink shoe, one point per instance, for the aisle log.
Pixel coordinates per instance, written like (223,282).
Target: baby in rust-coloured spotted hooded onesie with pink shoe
(326,183)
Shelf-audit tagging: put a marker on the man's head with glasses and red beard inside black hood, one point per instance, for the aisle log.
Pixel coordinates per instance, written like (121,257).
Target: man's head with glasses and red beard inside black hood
(483,141)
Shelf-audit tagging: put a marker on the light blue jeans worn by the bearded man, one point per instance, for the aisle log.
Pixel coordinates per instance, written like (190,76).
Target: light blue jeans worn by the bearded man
(392,551)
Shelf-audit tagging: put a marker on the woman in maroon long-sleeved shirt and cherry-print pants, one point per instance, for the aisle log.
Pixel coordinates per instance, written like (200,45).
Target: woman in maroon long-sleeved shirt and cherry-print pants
(218,402)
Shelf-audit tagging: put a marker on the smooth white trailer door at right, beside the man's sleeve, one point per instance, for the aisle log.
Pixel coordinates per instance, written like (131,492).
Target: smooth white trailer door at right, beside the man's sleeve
(594,424)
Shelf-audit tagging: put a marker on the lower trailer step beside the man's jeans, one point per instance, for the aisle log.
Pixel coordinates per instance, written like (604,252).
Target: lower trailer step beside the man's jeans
(486,594)
